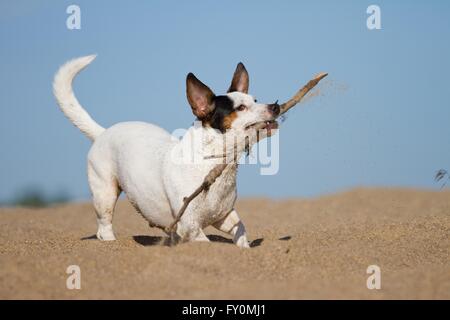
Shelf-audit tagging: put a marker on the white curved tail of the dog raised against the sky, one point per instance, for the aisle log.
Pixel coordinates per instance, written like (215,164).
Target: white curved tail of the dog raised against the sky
(62,89)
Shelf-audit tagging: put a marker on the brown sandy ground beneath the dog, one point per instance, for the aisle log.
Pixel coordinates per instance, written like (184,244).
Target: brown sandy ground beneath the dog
(314,248)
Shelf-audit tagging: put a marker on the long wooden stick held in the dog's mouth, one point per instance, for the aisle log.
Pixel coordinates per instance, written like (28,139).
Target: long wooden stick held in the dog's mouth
(218,169)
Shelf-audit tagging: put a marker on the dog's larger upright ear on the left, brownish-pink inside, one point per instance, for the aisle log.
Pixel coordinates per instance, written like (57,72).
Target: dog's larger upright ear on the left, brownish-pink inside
(200,97)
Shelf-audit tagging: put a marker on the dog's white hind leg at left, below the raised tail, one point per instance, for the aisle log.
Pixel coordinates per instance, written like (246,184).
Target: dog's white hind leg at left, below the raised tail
(105,192)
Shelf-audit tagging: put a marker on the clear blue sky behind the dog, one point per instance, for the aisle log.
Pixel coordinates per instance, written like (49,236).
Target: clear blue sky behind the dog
(383,119)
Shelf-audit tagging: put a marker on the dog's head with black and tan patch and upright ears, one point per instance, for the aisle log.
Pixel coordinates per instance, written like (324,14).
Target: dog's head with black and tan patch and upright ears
(236,110)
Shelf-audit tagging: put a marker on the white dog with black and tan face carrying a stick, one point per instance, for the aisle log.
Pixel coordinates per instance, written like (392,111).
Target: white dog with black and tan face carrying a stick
(140,158)
